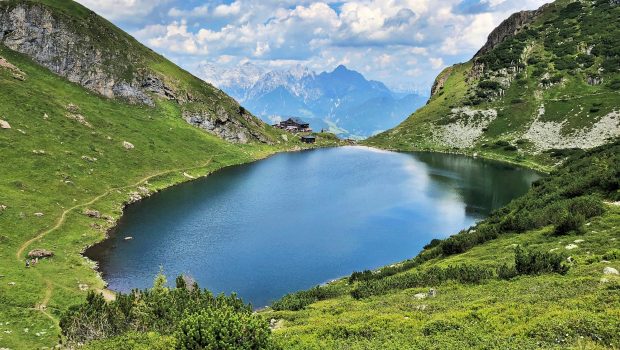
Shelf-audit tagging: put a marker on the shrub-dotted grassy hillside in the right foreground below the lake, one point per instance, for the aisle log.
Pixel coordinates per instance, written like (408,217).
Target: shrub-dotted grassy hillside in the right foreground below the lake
(529,276)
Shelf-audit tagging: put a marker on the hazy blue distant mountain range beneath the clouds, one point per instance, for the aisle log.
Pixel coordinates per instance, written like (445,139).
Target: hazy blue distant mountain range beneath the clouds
(342,101)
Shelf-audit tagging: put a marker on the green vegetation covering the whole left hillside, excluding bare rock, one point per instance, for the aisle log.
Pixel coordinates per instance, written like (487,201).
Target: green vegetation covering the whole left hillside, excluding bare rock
(71,157)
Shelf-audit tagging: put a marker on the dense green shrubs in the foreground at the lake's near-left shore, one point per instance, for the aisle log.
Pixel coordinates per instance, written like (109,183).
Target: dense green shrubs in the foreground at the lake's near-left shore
(222,321)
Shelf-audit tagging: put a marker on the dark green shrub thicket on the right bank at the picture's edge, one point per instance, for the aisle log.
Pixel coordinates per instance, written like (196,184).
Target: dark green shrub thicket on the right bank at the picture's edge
(571,195)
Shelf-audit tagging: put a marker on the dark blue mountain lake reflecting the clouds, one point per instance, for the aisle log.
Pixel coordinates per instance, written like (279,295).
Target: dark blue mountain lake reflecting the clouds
(299,219)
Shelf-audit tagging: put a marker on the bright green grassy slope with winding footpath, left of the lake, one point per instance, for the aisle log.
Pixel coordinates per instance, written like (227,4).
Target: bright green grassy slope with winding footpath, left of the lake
(67,151)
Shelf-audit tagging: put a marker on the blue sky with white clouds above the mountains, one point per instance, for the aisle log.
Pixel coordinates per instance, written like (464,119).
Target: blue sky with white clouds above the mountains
(403,43)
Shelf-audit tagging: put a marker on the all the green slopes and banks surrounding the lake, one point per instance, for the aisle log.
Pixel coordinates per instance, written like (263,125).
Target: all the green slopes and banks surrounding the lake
(91,120)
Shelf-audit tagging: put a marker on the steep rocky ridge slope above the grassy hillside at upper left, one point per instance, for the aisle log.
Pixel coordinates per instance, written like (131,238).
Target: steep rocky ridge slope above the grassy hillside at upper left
(79,45)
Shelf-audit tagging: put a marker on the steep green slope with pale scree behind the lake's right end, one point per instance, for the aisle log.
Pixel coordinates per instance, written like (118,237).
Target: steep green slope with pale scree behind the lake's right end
(546,80)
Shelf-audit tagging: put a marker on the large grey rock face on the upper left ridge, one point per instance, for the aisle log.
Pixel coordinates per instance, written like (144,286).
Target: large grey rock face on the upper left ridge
(50,40)
